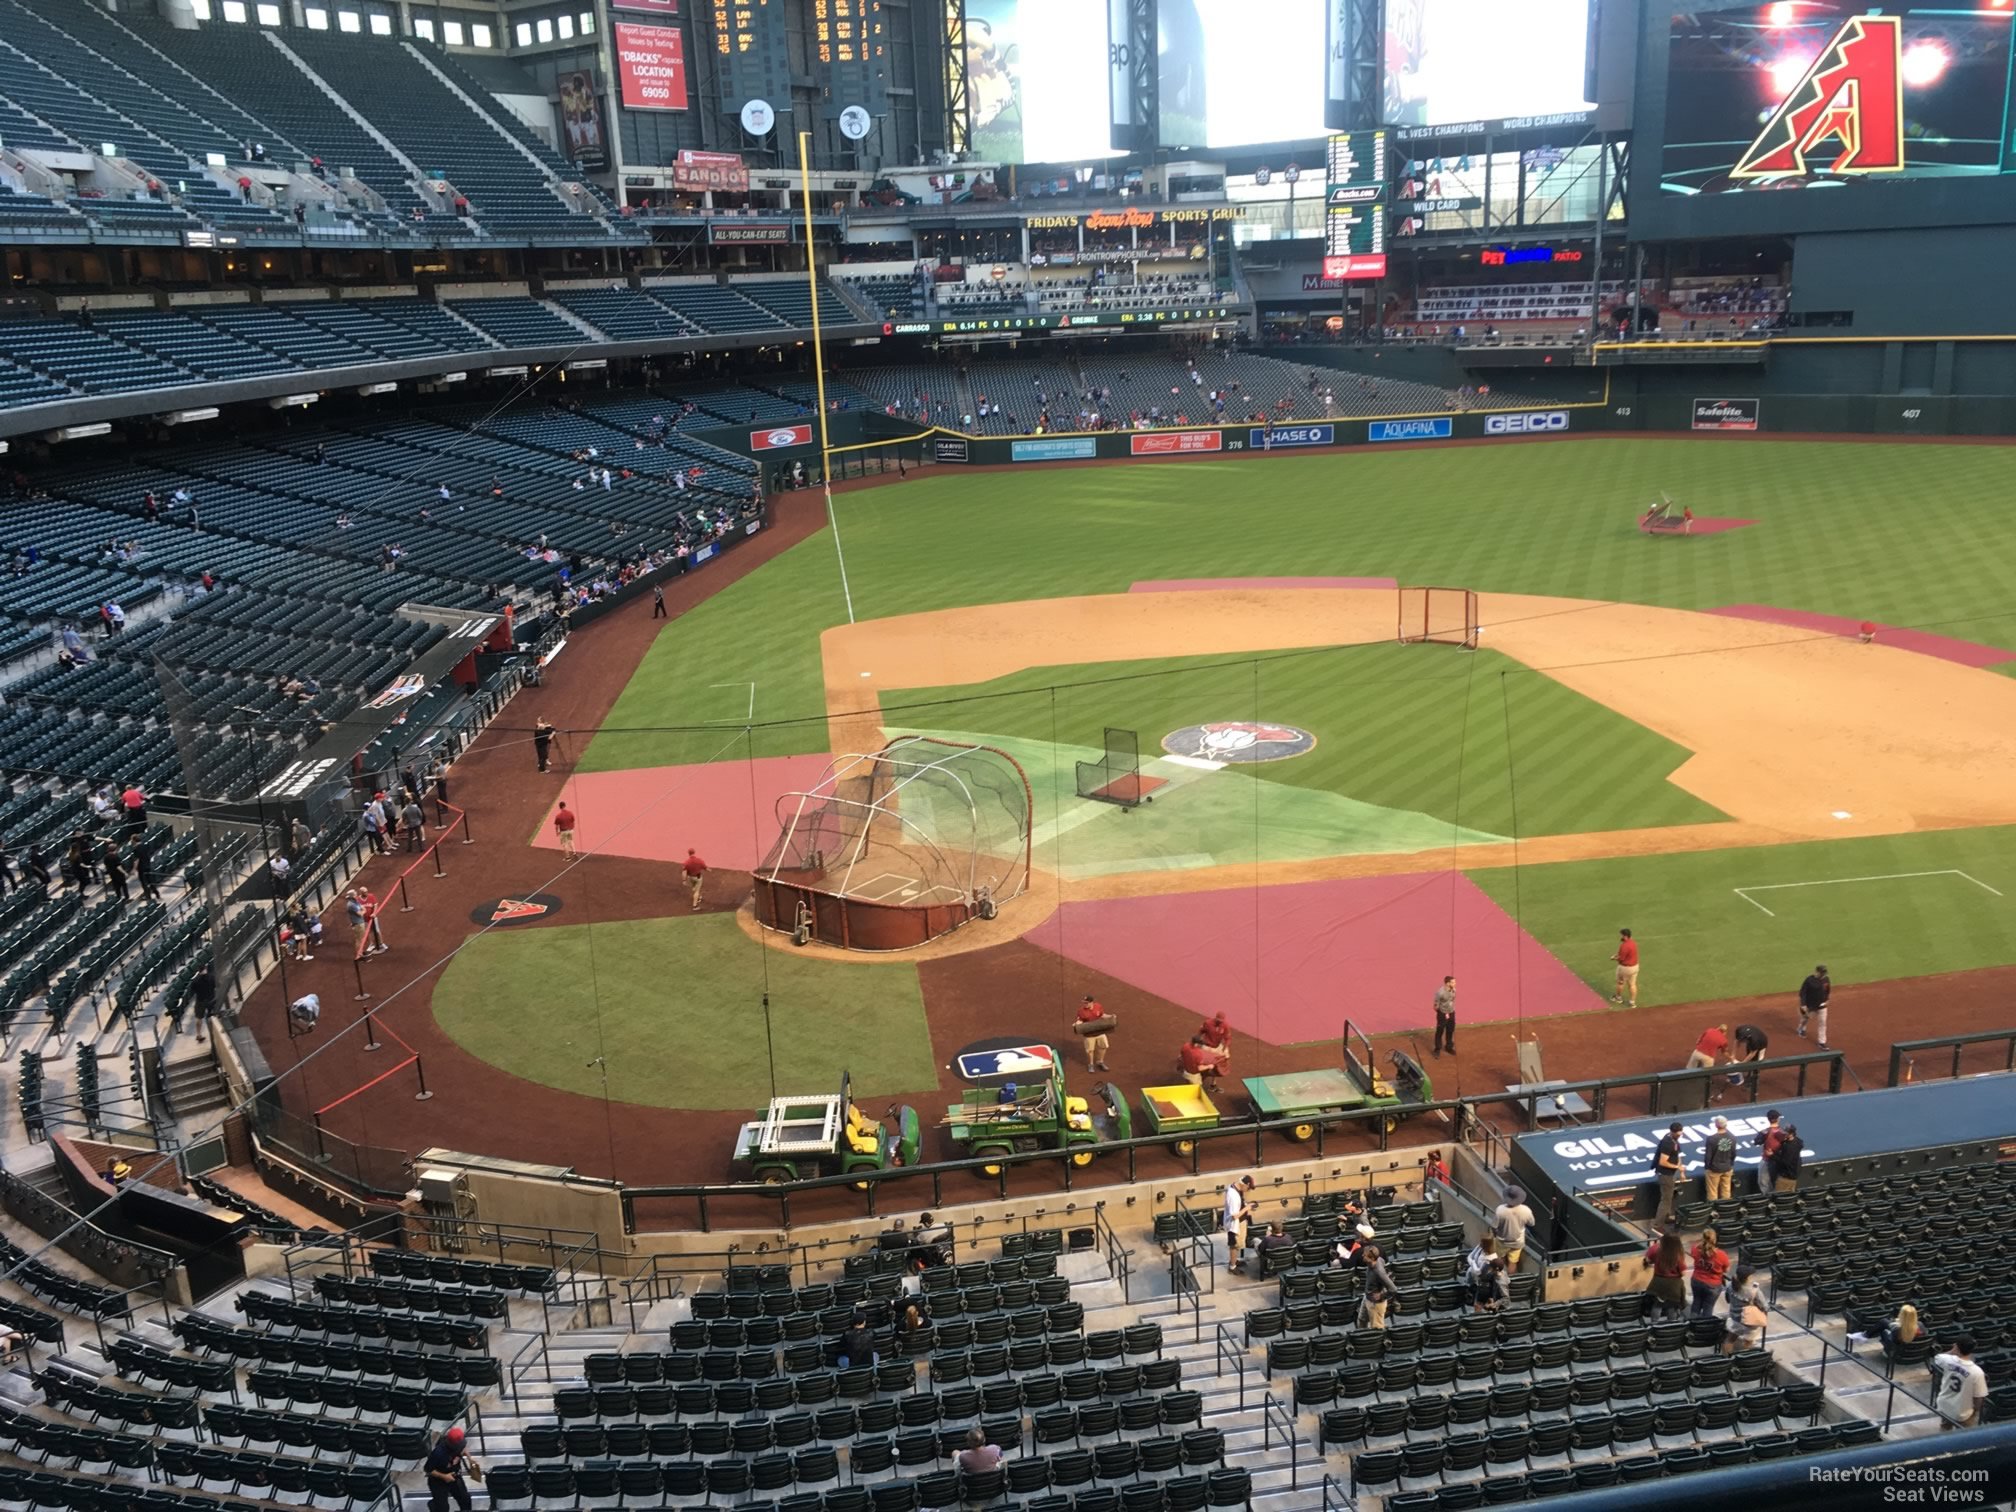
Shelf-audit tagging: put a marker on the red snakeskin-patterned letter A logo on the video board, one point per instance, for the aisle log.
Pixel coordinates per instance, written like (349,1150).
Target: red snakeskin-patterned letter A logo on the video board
(1854,96)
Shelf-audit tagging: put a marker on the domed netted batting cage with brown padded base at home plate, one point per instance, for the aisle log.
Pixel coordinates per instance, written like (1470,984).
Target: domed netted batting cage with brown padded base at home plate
(892,850)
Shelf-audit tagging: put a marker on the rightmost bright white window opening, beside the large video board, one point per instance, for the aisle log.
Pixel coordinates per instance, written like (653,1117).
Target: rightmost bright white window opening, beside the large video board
(1453,61)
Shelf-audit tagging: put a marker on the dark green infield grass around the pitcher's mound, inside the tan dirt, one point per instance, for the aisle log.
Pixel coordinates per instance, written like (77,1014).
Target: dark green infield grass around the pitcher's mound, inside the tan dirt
(1396,727)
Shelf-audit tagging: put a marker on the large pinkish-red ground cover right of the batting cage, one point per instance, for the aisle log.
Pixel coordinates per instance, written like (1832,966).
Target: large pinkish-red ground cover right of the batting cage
(1311,955)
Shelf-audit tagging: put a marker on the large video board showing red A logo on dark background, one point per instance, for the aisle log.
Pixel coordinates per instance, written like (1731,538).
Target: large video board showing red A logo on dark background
(1825,94)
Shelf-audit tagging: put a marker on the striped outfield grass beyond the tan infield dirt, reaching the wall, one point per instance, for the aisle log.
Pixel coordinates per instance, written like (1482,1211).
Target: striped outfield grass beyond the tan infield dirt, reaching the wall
(1910,535)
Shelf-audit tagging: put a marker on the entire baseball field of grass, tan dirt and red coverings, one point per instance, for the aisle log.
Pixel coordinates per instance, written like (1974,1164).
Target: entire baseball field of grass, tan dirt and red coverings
(1682,735)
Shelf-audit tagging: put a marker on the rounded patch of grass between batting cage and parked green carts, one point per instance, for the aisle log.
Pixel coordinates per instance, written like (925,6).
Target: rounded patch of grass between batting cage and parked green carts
(666,1005)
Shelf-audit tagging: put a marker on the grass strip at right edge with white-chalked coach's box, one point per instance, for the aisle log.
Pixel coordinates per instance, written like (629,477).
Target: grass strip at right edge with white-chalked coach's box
(1858,906)
